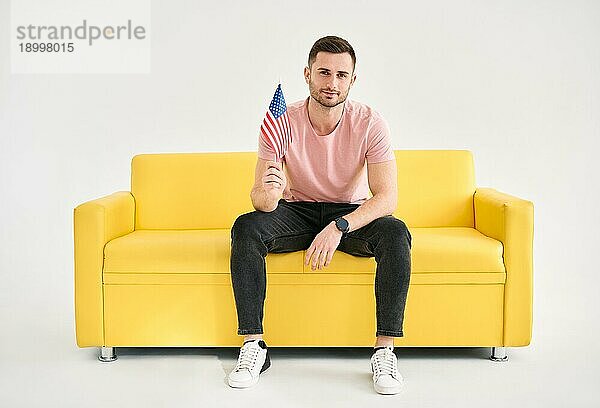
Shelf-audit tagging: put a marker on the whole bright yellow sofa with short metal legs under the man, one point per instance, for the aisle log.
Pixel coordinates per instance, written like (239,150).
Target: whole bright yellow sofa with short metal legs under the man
(152,264)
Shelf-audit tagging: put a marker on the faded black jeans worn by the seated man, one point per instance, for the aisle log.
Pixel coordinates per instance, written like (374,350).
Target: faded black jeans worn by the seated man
(292,226)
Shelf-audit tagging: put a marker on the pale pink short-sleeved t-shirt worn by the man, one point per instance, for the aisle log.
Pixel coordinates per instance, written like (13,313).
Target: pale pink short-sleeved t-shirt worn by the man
(332,168)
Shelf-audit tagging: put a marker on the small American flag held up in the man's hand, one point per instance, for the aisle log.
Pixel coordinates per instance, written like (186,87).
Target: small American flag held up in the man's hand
(276,125)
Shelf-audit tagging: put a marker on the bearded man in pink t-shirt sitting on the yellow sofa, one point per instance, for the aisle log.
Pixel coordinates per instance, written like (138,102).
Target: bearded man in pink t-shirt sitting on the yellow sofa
(319,204)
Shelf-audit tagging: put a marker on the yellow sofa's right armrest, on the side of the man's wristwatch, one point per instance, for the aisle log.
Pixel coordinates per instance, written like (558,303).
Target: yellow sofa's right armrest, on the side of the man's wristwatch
(509,219)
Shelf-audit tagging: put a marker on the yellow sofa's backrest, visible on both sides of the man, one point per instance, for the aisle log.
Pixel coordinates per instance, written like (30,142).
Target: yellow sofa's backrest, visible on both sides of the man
(210,190)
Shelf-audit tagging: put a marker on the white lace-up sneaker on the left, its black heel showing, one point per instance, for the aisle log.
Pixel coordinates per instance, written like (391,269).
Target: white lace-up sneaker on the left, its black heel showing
(253,360)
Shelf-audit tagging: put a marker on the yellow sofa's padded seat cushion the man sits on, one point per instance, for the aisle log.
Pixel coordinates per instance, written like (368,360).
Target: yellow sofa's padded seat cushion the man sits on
(435,251)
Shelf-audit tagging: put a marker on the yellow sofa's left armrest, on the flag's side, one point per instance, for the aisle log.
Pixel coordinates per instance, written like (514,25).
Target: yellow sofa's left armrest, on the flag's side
(94,224)
